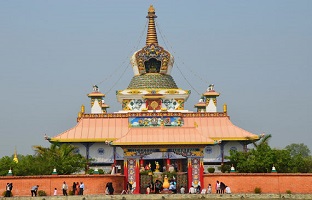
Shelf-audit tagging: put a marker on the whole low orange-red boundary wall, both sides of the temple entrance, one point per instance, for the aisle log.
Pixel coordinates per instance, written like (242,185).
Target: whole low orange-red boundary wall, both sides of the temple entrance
(95,184)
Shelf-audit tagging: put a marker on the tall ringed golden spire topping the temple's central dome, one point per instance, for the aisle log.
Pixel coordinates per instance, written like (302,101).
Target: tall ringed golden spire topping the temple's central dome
(151,31)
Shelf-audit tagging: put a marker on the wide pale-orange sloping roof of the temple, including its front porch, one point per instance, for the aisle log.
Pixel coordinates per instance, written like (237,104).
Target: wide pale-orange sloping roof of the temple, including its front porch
(196,130)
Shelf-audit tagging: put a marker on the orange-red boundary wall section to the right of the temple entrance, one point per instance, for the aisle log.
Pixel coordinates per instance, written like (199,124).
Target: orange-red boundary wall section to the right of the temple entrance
(268,182)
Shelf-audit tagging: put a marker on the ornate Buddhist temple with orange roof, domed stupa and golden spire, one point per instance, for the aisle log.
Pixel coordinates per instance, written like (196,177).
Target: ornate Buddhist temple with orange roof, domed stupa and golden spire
(153,128)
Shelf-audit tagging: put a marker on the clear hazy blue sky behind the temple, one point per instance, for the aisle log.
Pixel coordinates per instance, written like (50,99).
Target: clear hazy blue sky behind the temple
(256,53)
